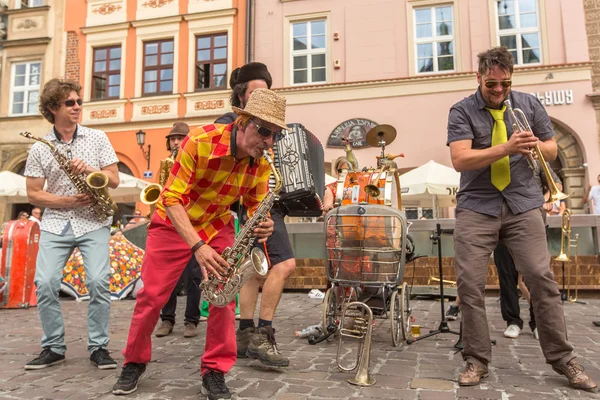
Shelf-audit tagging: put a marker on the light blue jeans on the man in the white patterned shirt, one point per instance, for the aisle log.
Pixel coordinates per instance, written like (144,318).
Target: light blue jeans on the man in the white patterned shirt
(53,254)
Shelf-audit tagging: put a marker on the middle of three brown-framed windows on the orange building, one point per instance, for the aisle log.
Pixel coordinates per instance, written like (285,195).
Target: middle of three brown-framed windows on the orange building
(158,67)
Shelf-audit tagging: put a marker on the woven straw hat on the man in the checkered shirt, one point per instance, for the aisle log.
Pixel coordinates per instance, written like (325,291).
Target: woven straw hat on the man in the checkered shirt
(266,105)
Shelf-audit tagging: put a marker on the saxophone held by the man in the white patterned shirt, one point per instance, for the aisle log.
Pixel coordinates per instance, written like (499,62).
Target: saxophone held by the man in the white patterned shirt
(95,184)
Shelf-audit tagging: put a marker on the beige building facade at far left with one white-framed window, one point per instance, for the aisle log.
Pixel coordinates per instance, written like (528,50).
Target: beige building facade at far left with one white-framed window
(31,52)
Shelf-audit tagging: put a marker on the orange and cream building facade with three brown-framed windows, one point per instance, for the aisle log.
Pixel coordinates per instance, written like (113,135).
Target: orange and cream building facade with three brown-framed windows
(145,64)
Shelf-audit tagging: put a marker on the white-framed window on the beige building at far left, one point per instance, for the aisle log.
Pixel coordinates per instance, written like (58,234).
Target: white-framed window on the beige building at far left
(25,88)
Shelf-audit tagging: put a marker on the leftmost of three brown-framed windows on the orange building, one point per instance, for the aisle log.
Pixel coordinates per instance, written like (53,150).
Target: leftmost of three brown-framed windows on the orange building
(106,75)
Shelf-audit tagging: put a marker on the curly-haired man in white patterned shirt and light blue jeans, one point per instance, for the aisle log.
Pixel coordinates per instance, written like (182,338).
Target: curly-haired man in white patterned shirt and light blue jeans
(69,222)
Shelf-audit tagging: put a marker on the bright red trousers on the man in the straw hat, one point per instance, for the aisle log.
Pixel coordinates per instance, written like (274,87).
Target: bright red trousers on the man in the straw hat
(166,257)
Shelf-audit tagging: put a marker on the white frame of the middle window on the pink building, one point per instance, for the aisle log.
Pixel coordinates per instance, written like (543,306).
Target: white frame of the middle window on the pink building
(434,39)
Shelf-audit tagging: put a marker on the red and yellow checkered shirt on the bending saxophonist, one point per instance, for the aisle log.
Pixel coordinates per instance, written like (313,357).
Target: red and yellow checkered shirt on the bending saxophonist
(206,179)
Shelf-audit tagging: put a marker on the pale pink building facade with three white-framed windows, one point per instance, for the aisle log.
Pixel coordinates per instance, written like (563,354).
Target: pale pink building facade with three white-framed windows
(347,65)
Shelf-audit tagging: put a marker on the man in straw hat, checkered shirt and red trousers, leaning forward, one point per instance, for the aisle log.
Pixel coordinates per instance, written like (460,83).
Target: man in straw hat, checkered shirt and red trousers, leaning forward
(215,166)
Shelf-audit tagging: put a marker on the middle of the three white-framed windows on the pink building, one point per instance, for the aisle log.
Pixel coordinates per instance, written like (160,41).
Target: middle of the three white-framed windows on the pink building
(434,39)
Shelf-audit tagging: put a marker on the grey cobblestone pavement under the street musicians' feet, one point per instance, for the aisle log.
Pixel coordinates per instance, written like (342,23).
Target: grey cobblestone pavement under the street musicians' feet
(425,370)
